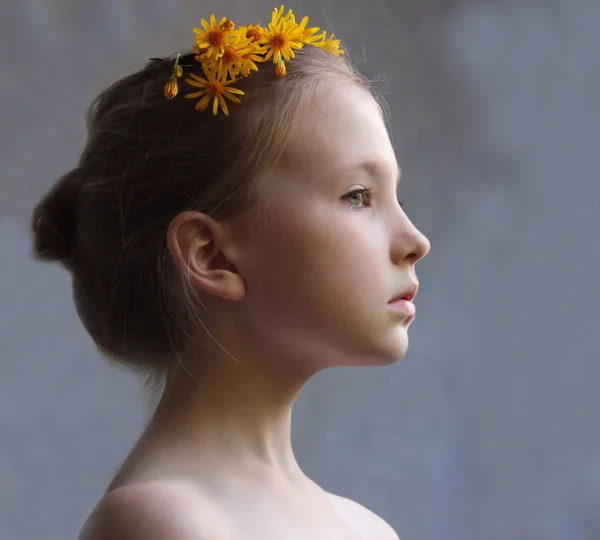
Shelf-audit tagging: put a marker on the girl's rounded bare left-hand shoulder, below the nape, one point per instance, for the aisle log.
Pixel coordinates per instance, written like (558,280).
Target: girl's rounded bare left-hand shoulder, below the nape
(153,511)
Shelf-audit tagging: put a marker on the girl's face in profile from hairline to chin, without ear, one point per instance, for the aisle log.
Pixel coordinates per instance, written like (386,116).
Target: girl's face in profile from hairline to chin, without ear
(323,259)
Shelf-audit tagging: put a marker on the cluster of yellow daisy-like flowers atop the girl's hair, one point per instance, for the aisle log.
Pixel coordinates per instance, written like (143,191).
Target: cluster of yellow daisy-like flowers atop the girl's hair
(226,54)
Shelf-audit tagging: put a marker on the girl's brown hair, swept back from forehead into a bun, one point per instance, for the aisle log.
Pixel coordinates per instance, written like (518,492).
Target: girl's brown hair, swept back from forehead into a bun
(145,161)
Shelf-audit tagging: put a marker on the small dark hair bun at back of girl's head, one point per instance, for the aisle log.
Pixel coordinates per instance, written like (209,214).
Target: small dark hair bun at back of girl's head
(54,220)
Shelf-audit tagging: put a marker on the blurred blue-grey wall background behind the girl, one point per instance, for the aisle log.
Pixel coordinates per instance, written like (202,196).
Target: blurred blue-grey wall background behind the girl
(488,429)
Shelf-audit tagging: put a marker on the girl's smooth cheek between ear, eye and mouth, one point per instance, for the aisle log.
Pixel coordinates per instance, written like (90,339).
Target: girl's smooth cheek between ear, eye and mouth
(318,269)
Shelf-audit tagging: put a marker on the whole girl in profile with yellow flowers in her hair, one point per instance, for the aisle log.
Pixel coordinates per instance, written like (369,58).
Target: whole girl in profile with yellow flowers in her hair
(229,251)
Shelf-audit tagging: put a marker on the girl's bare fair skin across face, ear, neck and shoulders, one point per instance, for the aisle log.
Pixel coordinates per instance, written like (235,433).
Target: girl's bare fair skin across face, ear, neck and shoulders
(301,285)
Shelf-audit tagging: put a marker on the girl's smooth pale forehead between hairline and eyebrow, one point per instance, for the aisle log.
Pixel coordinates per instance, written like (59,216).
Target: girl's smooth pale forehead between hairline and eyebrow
(342,129)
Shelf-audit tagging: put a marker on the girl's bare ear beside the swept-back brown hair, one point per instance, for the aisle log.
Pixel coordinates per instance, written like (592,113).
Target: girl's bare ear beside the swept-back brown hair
(202,249)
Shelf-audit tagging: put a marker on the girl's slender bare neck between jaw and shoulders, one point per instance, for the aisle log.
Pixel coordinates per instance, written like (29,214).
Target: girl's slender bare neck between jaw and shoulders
(231,419)
